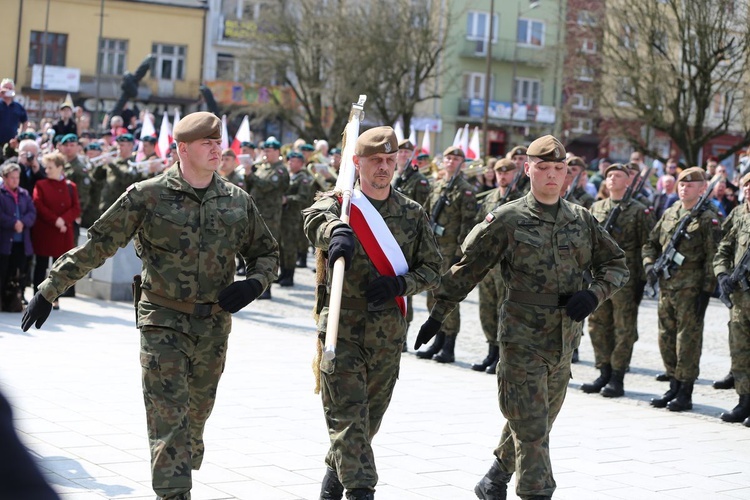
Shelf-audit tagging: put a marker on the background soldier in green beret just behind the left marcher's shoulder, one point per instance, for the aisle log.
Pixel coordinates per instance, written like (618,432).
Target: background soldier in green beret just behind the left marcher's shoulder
(267,184)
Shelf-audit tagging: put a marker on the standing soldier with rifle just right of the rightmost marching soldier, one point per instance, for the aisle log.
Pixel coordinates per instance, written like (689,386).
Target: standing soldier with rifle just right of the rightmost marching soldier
(613,326)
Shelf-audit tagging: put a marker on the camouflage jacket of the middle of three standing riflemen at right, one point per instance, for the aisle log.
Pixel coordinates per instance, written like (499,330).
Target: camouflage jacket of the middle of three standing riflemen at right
(699,249)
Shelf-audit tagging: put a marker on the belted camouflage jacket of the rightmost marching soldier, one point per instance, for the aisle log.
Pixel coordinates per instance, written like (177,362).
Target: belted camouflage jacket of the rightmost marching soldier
(536,254)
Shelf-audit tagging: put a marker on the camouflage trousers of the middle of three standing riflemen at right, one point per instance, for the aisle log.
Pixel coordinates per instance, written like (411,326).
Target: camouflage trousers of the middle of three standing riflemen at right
(680,332)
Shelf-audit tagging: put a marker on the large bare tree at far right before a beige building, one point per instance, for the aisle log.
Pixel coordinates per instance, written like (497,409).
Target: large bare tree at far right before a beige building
(677,66)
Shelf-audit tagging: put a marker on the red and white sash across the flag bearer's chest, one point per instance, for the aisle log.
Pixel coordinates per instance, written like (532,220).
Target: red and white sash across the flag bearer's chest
(377,240)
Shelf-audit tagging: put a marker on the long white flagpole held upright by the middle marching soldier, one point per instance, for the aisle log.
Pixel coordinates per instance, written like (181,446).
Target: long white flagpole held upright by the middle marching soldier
(344,186)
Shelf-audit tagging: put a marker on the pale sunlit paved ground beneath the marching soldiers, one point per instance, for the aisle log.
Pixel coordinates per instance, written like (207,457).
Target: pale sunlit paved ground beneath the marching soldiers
(75,389)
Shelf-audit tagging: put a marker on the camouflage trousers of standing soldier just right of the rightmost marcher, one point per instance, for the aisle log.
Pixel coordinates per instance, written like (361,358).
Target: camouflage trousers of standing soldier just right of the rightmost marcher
(613,328)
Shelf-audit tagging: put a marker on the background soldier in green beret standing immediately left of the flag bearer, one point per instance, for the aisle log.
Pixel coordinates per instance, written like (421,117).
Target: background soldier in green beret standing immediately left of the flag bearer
(298,196)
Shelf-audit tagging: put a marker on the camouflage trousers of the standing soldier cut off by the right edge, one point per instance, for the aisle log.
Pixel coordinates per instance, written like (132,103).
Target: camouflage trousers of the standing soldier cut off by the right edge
(739,341)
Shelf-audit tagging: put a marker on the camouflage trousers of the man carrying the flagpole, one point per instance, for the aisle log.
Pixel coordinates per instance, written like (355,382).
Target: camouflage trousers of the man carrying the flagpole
(356,389)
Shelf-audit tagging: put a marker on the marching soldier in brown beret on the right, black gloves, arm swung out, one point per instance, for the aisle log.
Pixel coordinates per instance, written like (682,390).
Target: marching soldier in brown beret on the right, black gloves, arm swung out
(542,246)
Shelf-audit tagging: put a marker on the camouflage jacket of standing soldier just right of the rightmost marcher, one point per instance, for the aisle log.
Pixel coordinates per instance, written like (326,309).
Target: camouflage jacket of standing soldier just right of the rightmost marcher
(630,231)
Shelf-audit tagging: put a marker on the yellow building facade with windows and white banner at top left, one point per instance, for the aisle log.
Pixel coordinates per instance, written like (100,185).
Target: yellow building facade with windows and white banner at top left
(77,63)
